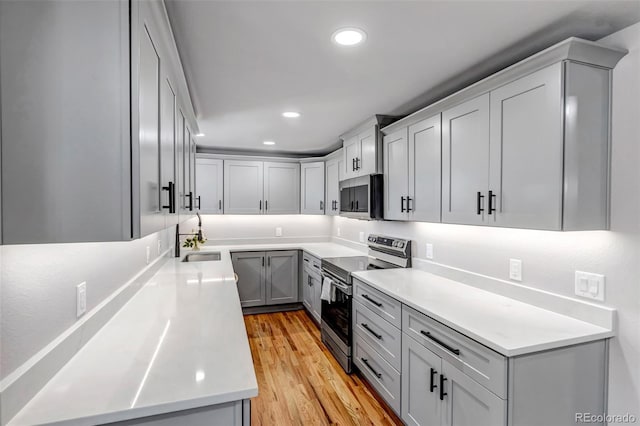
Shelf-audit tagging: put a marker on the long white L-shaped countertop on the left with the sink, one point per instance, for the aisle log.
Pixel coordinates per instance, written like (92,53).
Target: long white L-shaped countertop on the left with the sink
(179,343)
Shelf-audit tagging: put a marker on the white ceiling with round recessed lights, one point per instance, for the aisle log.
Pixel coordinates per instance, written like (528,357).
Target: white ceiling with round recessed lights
(248,61)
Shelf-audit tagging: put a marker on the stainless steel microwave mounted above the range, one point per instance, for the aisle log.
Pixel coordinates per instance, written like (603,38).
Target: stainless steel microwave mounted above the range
(361,198)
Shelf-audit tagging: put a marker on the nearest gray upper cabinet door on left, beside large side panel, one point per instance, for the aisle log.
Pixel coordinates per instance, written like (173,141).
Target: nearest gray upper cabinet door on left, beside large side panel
(151,215)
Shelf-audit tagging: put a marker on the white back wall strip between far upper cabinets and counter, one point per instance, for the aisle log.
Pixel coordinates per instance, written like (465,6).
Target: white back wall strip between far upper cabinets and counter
(239,229)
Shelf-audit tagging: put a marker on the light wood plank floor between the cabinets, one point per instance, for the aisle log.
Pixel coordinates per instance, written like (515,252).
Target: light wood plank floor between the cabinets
(299,381)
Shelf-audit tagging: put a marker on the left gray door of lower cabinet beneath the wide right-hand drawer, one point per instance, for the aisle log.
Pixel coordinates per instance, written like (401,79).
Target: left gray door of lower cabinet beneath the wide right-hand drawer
(421,405)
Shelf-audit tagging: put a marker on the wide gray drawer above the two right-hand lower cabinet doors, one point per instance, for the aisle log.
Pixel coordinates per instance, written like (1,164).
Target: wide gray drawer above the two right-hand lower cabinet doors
(482,364)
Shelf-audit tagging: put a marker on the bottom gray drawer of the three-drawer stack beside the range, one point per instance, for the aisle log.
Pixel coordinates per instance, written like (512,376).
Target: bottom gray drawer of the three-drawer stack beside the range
(382,376)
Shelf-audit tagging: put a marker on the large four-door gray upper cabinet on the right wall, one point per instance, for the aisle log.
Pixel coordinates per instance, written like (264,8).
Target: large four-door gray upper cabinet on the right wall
(527,147)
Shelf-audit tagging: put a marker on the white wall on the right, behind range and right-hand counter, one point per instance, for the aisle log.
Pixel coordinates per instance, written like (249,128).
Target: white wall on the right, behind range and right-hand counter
(551,258)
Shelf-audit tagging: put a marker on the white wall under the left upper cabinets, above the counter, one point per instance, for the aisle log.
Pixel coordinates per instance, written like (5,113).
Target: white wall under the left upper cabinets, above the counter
(38,288)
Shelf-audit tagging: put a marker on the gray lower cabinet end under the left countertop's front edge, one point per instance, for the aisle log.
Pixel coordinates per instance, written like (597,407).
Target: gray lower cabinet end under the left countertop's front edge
(237,413)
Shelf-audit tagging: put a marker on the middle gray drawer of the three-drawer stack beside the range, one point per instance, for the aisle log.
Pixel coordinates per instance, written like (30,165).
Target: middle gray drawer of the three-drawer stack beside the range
(381,335)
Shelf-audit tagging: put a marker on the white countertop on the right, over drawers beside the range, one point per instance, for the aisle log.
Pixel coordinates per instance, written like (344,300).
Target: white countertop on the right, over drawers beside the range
(505,325)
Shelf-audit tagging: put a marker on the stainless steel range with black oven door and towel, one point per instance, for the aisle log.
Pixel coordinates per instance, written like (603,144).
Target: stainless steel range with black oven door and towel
(384,253)
